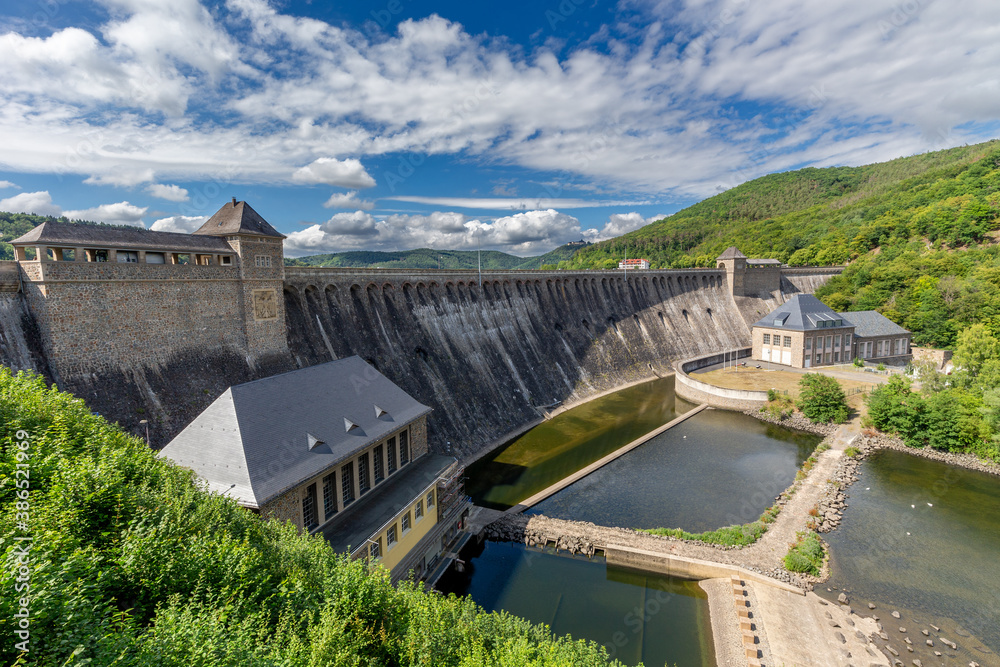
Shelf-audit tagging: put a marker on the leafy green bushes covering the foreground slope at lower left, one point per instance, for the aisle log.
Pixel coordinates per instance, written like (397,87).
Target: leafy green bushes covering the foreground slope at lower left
(132,563)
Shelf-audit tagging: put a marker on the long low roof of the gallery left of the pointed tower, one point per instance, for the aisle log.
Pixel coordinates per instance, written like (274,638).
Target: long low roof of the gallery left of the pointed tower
(72,234)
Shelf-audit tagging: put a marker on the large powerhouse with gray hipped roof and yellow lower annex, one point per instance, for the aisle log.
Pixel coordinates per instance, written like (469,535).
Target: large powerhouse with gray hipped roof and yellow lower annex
(335,448)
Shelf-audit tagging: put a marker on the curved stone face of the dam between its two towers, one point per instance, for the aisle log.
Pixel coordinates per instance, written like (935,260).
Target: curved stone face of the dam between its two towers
(485,357)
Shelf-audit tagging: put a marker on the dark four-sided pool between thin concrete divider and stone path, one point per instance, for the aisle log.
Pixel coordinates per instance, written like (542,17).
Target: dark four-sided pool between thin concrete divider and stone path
(717,468)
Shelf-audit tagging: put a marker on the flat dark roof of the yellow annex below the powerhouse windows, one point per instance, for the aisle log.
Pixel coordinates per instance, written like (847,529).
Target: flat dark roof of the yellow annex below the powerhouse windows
(358,522)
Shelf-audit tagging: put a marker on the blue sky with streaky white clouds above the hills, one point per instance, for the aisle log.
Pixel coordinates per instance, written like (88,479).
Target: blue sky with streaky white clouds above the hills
(518,125)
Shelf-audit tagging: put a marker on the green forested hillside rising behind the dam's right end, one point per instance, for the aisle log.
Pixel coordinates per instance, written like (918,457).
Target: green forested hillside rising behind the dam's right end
(826,216)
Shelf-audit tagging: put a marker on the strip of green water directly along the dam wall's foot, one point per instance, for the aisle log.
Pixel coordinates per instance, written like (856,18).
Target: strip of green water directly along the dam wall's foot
(570,441)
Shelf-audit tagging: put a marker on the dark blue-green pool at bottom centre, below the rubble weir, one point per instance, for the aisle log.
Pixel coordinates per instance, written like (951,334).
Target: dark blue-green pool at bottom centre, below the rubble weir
(637,616)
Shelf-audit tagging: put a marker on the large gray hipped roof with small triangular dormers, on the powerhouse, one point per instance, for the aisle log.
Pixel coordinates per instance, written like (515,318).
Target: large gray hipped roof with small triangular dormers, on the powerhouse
(262,438)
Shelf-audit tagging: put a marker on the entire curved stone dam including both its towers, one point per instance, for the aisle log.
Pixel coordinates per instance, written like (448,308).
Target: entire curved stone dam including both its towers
(153,326)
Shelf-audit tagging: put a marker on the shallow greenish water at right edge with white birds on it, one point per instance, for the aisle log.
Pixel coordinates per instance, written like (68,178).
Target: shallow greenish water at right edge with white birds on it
(923,537)
